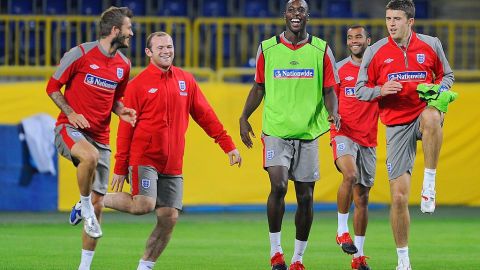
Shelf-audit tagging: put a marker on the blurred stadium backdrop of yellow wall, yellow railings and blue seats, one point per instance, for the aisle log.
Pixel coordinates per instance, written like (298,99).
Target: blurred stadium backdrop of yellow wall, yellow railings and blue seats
(217,40)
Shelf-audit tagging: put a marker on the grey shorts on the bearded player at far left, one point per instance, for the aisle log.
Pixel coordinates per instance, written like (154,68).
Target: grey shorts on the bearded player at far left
(66,136)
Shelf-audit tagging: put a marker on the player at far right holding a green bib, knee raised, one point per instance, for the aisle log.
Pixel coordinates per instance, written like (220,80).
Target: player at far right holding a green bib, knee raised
(391,70)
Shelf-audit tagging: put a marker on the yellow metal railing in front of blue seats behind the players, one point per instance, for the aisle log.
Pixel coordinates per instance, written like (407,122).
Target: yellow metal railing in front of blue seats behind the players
(214,49)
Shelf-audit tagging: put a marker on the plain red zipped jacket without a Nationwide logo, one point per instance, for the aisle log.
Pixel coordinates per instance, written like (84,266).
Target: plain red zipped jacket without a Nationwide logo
(164,102)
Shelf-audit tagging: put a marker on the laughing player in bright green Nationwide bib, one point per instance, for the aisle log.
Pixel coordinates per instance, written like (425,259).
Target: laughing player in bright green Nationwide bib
(296,75)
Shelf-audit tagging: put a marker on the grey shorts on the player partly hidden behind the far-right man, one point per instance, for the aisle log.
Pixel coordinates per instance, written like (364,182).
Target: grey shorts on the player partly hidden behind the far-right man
(365,158)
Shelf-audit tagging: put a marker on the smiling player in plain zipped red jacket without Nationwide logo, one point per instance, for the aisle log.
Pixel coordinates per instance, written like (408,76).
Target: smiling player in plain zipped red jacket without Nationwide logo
(164,97)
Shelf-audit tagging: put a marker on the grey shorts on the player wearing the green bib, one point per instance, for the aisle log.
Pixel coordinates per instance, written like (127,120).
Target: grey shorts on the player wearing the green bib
(299,156)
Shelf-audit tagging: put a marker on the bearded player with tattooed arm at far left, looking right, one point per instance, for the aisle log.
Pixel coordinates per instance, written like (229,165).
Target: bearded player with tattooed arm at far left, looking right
(95,75)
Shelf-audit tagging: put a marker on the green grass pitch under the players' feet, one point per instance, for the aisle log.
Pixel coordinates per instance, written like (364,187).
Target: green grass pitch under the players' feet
(448,239)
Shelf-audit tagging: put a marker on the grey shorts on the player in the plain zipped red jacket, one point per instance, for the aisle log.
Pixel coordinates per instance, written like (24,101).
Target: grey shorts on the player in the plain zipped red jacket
(167,189)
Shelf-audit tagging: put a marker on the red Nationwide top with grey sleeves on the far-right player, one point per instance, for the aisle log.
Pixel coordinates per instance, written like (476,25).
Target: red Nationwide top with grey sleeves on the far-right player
(422,61)
